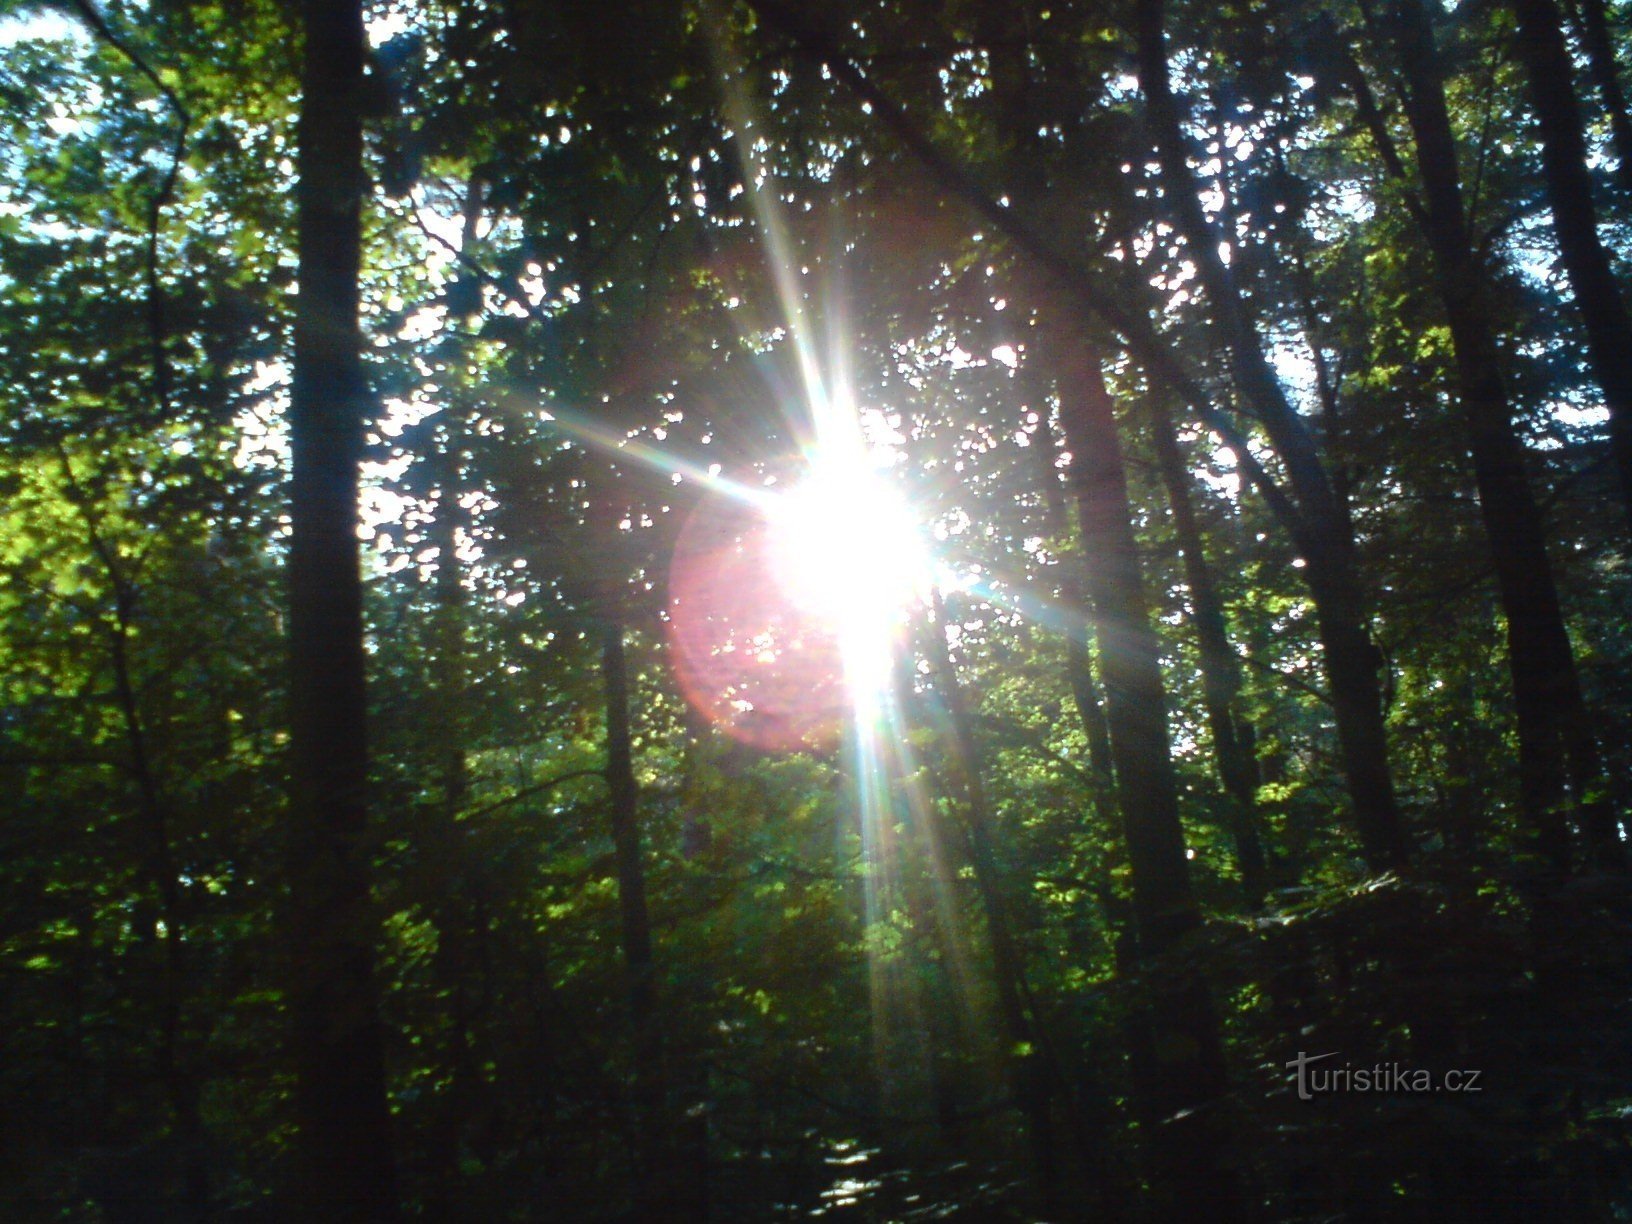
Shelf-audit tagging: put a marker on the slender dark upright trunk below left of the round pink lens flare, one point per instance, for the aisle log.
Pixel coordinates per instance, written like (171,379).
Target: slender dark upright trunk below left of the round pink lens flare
(652,1140)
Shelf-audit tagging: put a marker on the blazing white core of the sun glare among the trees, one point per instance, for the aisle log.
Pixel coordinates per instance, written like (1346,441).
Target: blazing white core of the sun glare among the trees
(848,549)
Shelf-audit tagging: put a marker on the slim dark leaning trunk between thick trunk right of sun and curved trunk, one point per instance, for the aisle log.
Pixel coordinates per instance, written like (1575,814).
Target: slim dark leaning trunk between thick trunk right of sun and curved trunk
(1220,665)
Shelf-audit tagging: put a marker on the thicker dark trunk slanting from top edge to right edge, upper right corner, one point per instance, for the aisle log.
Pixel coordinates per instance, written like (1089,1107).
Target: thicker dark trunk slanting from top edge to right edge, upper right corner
(1576,223)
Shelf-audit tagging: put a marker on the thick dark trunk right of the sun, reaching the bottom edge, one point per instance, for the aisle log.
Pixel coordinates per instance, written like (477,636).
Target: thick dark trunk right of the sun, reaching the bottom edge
(1182,1083)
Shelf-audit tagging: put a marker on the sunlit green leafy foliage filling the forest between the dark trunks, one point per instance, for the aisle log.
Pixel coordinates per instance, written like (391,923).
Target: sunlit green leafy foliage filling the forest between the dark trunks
(613,233)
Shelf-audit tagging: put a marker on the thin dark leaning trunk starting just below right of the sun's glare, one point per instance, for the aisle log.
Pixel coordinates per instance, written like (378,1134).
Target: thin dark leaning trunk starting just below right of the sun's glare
(1034,1070)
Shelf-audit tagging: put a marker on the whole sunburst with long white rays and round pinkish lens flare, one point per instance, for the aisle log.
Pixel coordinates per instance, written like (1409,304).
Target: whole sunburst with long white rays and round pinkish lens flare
(791,600)
